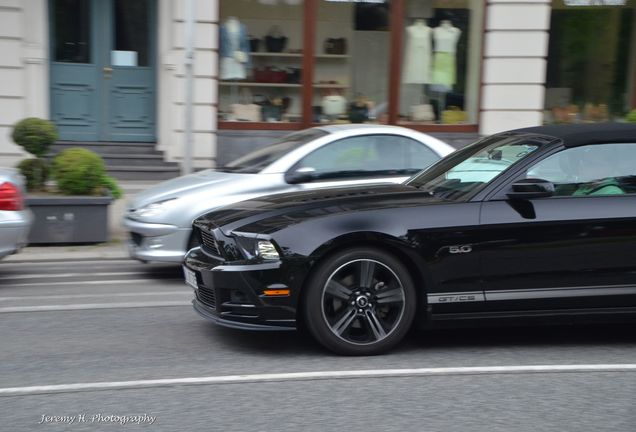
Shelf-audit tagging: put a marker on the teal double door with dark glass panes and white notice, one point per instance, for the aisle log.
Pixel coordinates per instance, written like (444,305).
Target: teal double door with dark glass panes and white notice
(102,74)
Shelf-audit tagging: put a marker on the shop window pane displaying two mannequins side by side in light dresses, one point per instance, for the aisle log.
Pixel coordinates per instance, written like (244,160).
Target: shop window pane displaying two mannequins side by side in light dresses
(440,62)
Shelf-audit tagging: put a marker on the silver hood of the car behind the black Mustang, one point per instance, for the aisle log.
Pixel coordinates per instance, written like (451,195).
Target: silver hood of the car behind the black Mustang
(179,186)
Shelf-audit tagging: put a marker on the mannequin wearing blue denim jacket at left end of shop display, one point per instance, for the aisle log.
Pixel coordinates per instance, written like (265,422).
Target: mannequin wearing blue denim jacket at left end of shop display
(234,50)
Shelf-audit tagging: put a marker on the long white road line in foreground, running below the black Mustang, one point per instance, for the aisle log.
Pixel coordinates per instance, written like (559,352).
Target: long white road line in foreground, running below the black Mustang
(310,376)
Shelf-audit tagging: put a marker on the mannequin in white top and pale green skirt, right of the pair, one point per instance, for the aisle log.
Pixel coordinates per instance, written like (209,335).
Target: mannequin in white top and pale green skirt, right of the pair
(444,64)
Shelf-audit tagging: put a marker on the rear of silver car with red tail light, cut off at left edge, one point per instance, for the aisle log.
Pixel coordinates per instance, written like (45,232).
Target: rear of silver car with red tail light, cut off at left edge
(15,219)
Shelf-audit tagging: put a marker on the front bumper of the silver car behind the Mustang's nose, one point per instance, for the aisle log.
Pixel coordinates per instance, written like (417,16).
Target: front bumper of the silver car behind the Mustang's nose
(156,242)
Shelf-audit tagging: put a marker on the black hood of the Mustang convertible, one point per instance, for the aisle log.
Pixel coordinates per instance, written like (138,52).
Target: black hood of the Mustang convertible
(269,213)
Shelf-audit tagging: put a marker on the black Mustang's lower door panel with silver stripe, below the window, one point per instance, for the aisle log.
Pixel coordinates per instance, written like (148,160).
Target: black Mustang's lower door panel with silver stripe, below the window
(557,253)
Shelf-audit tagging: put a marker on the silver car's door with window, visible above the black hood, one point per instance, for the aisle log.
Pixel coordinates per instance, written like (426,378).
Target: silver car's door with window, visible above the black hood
(362,159)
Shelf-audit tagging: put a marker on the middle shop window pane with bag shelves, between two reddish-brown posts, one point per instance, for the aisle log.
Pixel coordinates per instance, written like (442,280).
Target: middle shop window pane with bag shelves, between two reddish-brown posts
(351,69)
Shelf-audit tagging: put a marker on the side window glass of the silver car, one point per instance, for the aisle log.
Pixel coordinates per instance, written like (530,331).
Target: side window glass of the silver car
(370,155)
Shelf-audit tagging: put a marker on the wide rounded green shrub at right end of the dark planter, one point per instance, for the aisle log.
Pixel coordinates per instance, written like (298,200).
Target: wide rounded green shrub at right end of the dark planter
(78,171)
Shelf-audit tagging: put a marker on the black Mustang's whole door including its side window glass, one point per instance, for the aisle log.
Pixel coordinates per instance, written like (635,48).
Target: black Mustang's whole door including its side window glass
(573,250)
